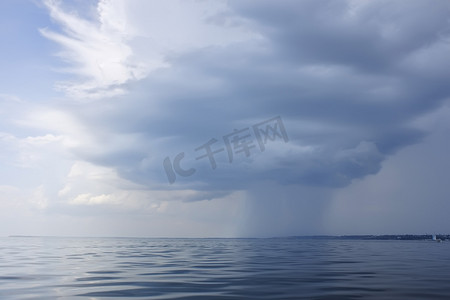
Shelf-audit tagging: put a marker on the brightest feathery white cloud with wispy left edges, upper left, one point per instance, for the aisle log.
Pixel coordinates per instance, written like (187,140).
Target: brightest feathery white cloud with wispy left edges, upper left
(97,52)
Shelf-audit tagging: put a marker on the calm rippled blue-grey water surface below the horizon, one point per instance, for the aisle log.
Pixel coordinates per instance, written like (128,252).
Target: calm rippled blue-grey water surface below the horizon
(115,268)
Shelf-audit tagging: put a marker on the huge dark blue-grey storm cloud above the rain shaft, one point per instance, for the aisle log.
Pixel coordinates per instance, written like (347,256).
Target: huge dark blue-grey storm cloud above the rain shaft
(347,78)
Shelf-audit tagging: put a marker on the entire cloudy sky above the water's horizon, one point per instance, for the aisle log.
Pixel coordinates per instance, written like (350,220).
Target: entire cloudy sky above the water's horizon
(197,118)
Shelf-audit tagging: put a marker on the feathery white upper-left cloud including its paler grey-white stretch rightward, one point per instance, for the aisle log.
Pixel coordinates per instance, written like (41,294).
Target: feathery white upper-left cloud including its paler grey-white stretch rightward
(129,39)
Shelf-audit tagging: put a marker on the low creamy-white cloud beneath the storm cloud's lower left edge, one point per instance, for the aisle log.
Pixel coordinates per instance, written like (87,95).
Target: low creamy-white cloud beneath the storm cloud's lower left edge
(91,185)
